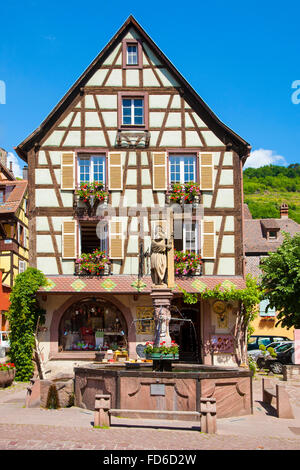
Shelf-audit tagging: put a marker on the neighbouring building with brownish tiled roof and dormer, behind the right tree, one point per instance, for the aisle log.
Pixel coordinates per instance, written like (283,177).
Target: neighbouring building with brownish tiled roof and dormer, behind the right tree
(264,236)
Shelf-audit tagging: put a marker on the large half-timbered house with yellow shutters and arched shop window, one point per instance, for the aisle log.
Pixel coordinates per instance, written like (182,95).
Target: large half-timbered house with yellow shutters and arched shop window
(132,124)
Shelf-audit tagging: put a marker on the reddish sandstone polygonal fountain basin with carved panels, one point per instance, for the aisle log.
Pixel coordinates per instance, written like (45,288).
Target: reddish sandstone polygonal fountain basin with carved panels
(176,390)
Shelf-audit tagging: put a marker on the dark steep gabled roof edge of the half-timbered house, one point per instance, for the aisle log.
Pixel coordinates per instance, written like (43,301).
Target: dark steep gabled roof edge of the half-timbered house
(224,133)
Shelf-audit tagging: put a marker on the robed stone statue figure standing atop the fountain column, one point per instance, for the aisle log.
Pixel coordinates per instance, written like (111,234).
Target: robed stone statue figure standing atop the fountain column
(159,248)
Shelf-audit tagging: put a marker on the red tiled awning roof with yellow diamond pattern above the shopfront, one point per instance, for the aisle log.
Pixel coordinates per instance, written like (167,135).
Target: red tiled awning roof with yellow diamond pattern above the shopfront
(128,284)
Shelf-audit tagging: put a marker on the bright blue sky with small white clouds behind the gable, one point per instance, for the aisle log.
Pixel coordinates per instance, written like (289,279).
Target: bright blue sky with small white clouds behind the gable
(242,58)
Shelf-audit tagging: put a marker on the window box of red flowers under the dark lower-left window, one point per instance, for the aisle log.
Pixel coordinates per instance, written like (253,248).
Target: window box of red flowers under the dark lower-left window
(96,263)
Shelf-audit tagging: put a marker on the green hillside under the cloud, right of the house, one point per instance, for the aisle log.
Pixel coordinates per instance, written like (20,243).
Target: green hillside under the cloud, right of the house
(267,187)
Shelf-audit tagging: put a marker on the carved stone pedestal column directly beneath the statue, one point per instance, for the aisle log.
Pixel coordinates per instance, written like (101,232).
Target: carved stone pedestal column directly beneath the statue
(161,298)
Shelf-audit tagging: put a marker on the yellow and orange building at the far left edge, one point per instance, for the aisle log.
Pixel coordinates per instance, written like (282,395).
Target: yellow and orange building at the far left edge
(13,233)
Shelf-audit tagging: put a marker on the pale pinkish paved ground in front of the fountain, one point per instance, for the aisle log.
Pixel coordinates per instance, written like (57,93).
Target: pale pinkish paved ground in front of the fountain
(71,429)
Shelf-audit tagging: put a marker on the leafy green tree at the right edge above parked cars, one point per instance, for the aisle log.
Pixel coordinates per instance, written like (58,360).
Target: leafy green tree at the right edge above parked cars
(281,281)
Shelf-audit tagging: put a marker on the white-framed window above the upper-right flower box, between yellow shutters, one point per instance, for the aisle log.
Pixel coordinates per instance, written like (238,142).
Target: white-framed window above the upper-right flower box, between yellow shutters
(182,168)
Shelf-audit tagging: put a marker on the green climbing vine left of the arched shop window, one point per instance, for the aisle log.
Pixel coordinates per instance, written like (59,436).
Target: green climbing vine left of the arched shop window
(23,316)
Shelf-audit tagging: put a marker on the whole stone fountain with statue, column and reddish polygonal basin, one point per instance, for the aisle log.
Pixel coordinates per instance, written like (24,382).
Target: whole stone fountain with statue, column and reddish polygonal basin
(164,386)
